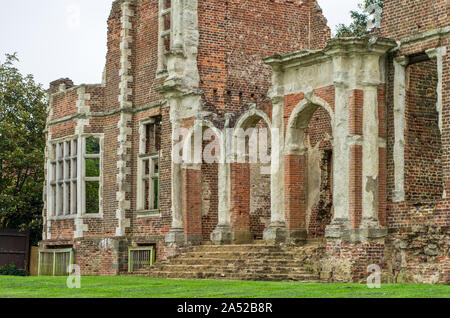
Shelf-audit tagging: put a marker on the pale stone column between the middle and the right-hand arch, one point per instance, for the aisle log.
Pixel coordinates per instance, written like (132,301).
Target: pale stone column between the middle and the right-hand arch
(276,231)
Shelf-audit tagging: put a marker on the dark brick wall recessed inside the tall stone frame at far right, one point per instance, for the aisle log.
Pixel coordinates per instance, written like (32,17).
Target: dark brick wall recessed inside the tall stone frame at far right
(423,165)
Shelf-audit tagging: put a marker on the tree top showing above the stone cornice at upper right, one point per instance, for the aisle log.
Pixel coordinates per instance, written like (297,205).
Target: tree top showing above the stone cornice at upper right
(360,20)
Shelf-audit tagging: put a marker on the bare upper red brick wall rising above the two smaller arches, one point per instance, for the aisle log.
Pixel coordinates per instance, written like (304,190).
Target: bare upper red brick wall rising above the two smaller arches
(236,35)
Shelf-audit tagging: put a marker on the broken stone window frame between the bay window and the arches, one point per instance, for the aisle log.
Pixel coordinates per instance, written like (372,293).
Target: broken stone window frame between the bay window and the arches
(143,156)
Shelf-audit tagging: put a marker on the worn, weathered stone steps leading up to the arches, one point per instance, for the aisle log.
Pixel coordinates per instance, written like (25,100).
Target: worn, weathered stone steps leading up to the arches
(238,262)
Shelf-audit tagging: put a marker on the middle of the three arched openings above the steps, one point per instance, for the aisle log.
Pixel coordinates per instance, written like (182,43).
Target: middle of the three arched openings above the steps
(250,177)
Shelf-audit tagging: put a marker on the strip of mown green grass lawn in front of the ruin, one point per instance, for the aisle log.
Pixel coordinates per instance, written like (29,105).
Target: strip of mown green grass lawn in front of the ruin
(143,287)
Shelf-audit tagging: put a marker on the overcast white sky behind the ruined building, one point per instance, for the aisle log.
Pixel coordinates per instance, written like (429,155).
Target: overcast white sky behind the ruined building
(67,38)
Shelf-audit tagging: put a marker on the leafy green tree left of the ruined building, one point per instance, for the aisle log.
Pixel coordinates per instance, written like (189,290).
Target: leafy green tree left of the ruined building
(22,142)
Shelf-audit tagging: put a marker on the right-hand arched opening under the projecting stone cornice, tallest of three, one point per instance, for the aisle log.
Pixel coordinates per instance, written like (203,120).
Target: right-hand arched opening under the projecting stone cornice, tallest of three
(309,170)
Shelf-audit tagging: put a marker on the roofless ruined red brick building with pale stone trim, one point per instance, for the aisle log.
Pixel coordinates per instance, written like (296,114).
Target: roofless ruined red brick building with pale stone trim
(359,173)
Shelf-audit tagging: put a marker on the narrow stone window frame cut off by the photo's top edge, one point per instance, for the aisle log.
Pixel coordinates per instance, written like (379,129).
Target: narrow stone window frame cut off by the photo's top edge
(163,12)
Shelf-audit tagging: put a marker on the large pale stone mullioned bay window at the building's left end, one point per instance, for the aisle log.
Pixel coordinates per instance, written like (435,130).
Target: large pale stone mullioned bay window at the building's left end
(78,179)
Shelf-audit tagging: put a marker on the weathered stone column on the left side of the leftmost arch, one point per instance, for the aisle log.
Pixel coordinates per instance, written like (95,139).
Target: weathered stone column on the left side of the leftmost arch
(176,233)
